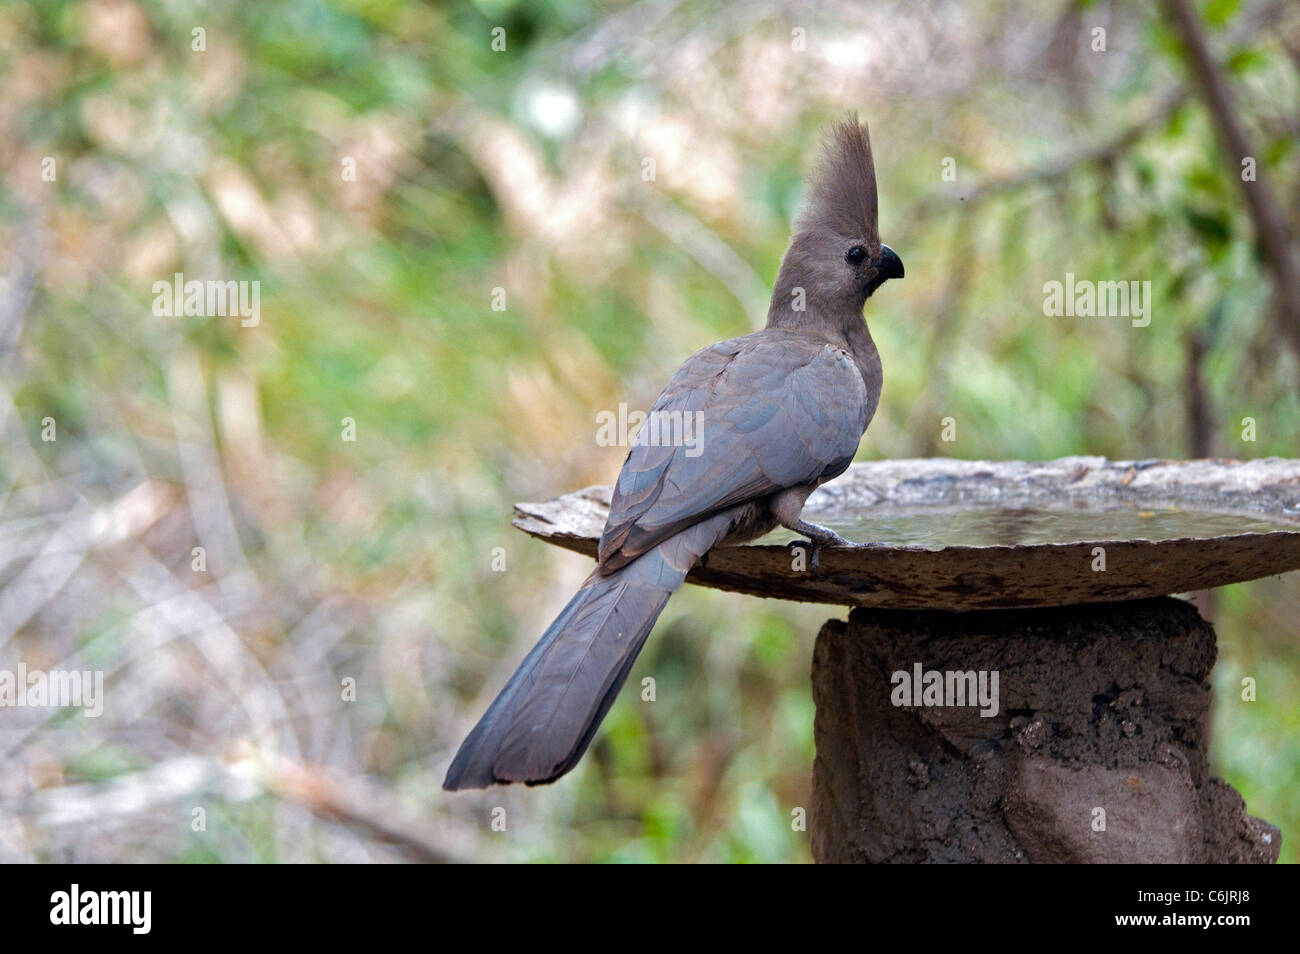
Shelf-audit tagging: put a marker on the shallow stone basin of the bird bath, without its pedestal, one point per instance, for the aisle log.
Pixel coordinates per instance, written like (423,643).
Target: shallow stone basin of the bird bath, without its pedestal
(957,535)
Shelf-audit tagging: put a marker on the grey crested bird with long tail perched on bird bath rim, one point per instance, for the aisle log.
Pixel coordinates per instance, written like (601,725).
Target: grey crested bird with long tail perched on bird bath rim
(783,411)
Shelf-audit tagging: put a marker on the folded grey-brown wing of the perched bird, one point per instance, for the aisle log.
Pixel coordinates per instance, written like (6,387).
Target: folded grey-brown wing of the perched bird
(775,410)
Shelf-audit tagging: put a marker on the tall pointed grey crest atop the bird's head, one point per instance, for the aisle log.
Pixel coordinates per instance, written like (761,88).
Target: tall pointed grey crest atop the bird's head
(842,192)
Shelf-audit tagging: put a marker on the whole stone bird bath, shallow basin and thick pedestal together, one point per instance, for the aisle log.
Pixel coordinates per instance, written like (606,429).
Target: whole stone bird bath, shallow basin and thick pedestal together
(1098,749)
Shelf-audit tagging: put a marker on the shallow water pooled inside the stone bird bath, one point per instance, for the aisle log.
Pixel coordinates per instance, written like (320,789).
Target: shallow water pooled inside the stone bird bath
(935,528)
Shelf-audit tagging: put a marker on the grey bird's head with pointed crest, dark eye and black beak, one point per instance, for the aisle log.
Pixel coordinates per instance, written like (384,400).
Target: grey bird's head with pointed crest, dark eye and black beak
(837,257)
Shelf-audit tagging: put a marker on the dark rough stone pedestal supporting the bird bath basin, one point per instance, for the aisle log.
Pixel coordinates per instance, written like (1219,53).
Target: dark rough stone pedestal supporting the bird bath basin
(1098,752)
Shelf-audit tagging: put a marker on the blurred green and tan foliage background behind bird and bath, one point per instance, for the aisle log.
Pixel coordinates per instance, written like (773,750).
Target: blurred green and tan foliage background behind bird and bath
(371,561)
